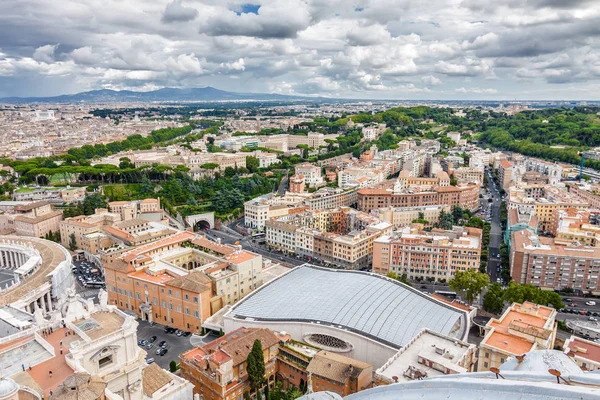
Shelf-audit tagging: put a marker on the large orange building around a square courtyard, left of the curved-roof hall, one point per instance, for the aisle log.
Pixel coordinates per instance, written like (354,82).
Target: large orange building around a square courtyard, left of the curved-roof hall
(180,280)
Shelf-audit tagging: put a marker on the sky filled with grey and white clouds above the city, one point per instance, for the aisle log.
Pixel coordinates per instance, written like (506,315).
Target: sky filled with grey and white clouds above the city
(387,49)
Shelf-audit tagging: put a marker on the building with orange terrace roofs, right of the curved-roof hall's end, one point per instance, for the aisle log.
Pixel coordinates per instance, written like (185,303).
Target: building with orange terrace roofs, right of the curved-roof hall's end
(521,329)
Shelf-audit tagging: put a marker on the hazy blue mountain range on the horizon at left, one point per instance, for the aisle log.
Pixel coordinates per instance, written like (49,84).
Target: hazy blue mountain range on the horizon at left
(161,95)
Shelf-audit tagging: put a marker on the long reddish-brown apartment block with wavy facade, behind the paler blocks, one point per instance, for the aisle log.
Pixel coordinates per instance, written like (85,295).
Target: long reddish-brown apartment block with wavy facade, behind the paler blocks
(466,196)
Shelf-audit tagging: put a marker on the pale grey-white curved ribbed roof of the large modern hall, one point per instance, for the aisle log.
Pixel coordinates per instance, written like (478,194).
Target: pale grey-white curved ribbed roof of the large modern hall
(369,304)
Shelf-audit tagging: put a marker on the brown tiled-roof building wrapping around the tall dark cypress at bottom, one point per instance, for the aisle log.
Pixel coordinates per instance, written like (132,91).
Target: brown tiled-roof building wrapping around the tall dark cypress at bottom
(218,370)
